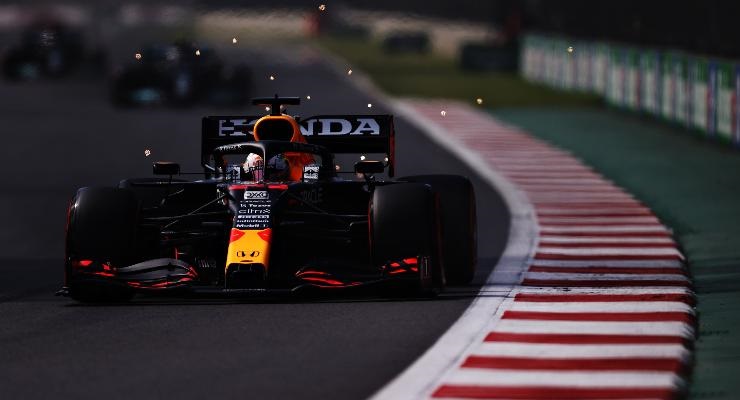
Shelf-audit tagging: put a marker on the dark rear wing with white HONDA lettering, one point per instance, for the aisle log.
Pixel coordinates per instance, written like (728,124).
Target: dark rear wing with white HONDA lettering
(338,133)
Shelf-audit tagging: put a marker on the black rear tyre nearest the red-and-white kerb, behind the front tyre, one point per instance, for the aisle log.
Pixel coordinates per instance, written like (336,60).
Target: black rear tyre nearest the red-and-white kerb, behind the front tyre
(458,219)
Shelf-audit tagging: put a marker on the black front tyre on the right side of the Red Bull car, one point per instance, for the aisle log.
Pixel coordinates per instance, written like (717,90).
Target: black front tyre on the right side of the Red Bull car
(404,224)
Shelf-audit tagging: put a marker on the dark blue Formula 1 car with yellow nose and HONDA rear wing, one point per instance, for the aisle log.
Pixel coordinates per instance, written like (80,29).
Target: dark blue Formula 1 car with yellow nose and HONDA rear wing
(272,214)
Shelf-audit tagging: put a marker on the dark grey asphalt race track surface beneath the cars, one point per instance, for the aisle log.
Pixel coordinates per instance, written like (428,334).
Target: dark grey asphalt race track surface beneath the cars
(62,135)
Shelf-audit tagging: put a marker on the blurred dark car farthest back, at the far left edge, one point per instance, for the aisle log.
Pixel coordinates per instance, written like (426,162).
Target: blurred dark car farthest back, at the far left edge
(47,49)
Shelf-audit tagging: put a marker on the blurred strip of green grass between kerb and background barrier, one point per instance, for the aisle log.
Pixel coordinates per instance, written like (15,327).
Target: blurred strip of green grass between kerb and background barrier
(434,76)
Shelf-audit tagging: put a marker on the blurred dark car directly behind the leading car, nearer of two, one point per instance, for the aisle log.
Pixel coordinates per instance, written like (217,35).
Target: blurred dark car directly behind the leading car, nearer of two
(180,74)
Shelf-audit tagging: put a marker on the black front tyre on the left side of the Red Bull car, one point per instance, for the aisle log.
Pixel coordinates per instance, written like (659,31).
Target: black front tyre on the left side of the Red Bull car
(101,227)
